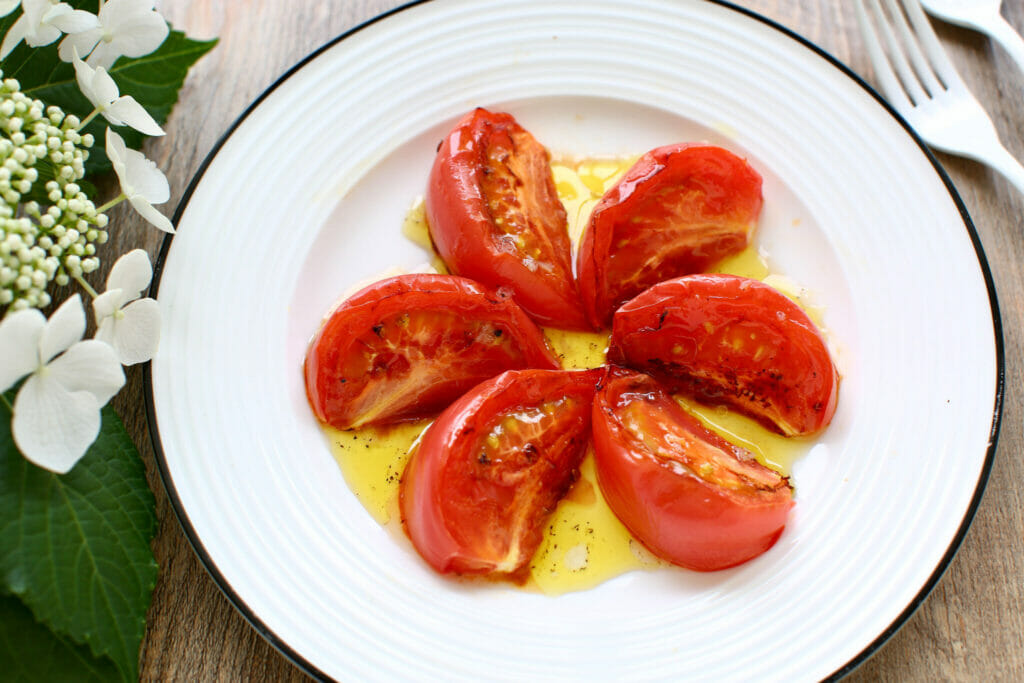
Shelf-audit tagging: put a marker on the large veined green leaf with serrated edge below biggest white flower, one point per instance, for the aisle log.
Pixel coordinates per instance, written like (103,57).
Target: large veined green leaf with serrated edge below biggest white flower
(75,548)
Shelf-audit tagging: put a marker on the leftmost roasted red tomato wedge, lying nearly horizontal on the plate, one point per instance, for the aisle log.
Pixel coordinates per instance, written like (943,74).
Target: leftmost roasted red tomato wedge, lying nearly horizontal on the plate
(408,347)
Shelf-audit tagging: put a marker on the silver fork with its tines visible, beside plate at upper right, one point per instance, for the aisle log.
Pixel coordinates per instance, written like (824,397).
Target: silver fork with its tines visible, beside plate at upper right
(923,86)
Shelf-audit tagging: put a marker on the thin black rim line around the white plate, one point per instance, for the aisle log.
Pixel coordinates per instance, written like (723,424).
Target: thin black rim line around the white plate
(293,656)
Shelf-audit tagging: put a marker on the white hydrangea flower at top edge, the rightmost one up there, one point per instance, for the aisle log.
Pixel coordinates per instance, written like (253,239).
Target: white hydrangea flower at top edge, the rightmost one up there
(126,28)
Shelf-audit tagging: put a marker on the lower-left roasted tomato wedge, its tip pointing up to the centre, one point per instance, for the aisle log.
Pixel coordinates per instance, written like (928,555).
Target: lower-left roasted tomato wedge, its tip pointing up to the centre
(478,492)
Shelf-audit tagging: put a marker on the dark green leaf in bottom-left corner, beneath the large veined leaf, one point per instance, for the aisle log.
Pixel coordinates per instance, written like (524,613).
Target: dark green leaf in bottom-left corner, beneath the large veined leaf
(30,653)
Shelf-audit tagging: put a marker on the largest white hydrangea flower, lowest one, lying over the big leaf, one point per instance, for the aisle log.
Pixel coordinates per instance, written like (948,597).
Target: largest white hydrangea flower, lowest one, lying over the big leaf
(57,411)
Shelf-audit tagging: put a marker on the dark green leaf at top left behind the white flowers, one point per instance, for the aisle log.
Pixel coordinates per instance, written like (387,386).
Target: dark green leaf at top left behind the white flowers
(153,80)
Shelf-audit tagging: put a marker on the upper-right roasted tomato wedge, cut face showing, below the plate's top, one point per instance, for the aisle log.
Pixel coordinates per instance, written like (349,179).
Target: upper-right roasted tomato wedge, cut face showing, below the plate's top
(678,210)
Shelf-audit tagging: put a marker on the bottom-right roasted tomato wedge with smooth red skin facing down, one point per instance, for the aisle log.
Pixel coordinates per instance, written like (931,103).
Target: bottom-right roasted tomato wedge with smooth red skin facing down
(689,495)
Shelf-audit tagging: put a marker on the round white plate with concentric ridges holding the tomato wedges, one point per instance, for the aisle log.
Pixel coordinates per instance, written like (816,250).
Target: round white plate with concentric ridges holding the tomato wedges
(307,196)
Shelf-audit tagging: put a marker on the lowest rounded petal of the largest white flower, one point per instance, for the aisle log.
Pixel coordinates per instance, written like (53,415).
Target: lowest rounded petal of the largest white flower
(54,428)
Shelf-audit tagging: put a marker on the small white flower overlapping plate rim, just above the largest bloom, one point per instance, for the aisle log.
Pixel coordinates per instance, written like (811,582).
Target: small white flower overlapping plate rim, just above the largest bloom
(133,330)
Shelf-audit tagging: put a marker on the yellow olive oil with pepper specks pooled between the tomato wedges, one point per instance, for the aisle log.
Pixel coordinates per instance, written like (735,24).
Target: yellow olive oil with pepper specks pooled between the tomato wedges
(585,545)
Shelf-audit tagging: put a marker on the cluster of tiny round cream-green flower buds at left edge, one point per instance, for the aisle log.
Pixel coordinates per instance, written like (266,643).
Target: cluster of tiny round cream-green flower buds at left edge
(51,234)
